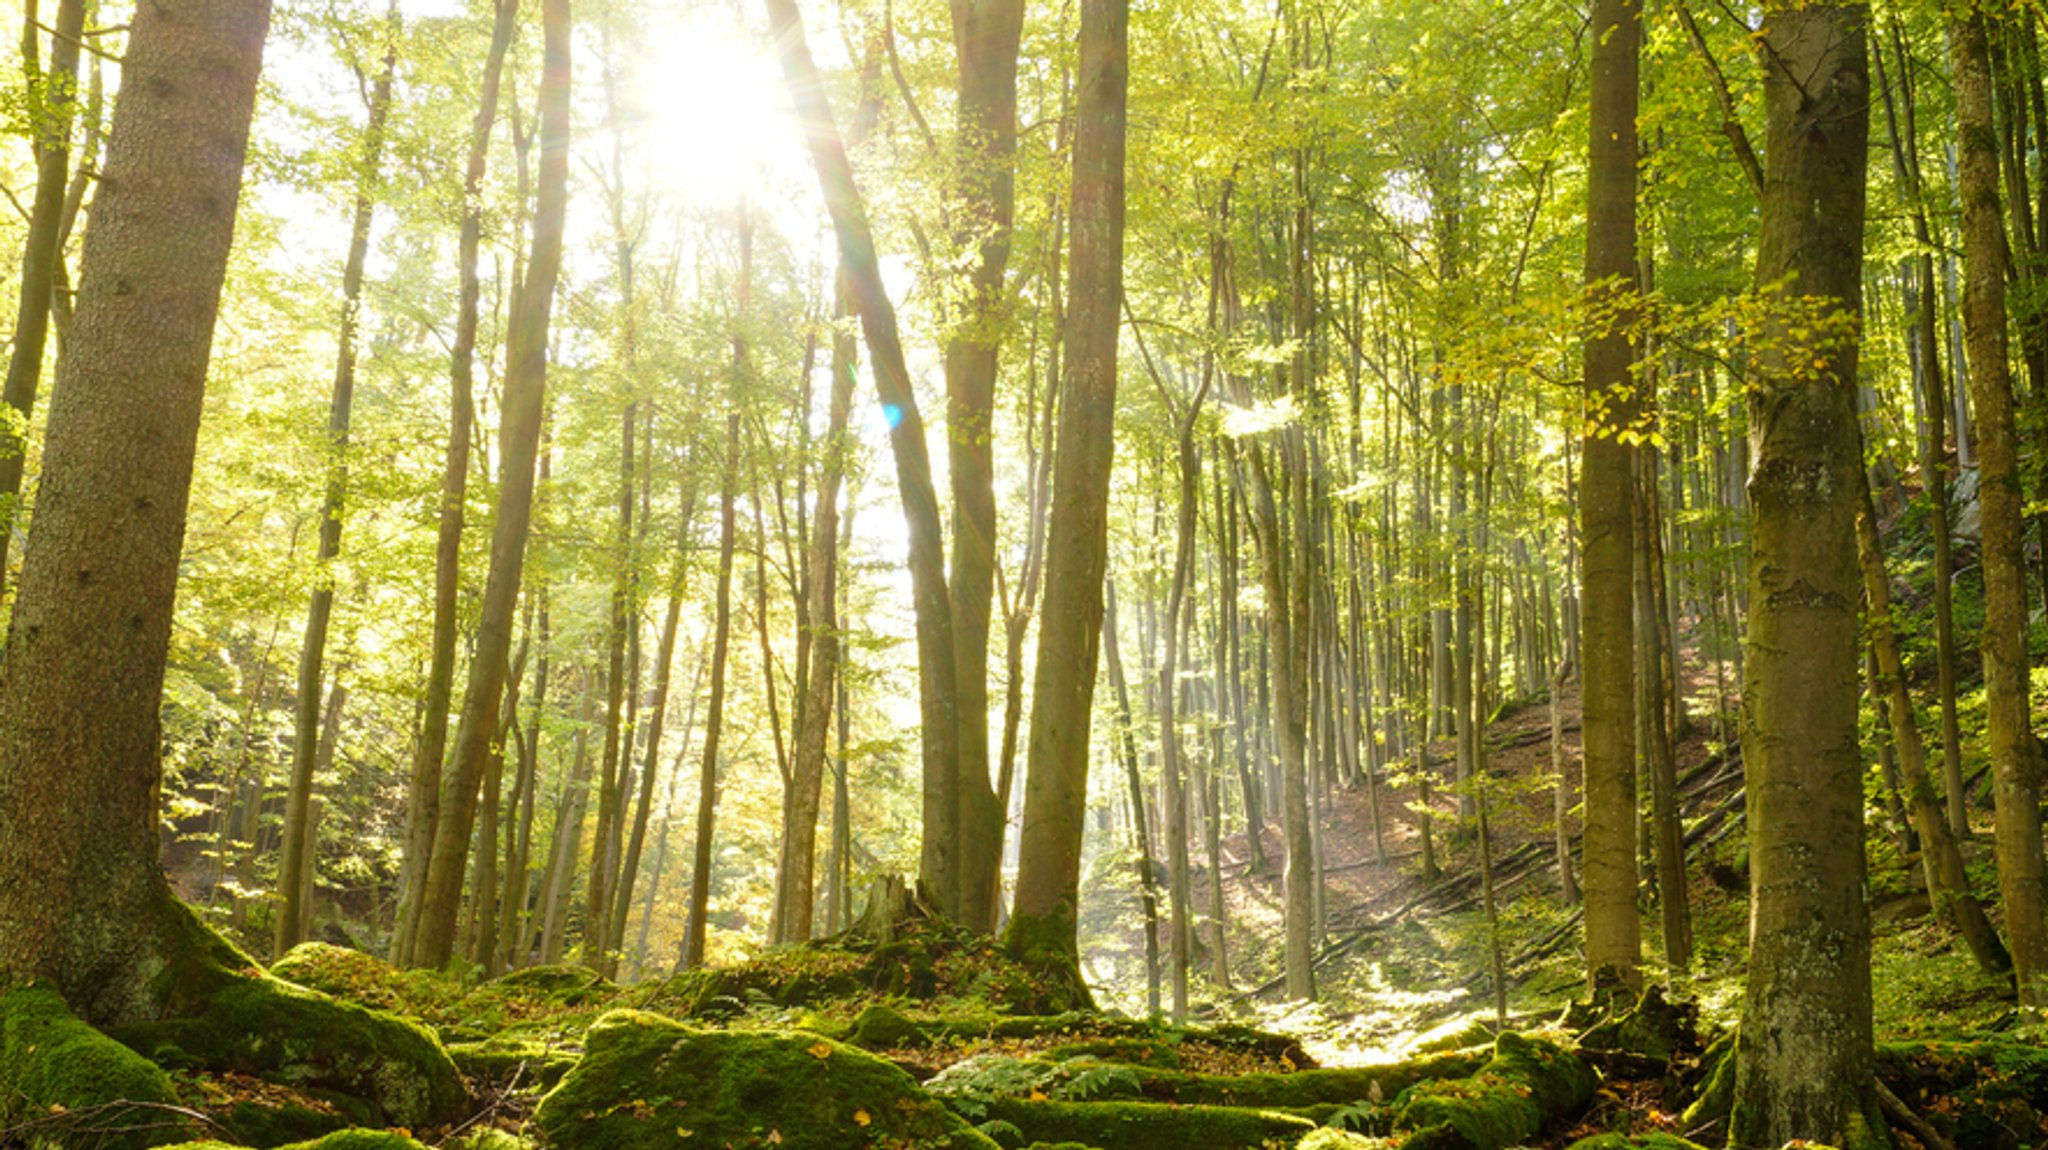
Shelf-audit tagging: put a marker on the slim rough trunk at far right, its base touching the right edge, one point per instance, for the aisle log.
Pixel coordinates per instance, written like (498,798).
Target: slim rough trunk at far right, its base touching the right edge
(2016,758)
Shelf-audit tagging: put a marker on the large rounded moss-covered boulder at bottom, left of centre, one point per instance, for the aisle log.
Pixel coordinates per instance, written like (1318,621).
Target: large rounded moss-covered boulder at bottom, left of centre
(644,1079)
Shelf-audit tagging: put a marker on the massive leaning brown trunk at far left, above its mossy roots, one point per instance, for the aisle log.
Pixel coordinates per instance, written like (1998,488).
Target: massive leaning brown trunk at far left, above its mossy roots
(83,901)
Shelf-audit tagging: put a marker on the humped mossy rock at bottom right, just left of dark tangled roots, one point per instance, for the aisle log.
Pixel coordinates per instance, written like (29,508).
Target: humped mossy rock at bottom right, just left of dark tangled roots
(1525,1088)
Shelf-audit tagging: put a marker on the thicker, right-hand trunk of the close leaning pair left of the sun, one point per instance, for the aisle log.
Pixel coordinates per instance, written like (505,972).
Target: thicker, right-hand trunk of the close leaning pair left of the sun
(519,439)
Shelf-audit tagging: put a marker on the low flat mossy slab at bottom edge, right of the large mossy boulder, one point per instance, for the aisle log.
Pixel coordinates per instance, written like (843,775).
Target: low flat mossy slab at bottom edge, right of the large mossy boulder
(1148,1126)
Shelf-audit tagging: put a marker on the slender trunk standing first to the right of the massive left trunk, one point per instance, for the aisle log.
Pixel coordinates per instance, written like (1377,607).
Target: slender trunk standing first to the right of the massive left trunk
(298,850)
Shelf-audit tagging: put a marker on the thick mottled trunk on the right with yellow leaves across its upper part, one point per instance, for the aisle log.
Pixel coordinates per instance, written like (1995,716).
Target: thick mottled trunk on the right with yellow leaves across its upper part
(1805,1051)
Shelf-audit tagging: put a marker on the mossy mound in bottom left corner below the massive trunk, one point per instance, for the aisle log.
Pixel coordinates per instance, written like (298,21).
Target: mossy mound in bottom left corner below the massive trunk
(60,1073)
